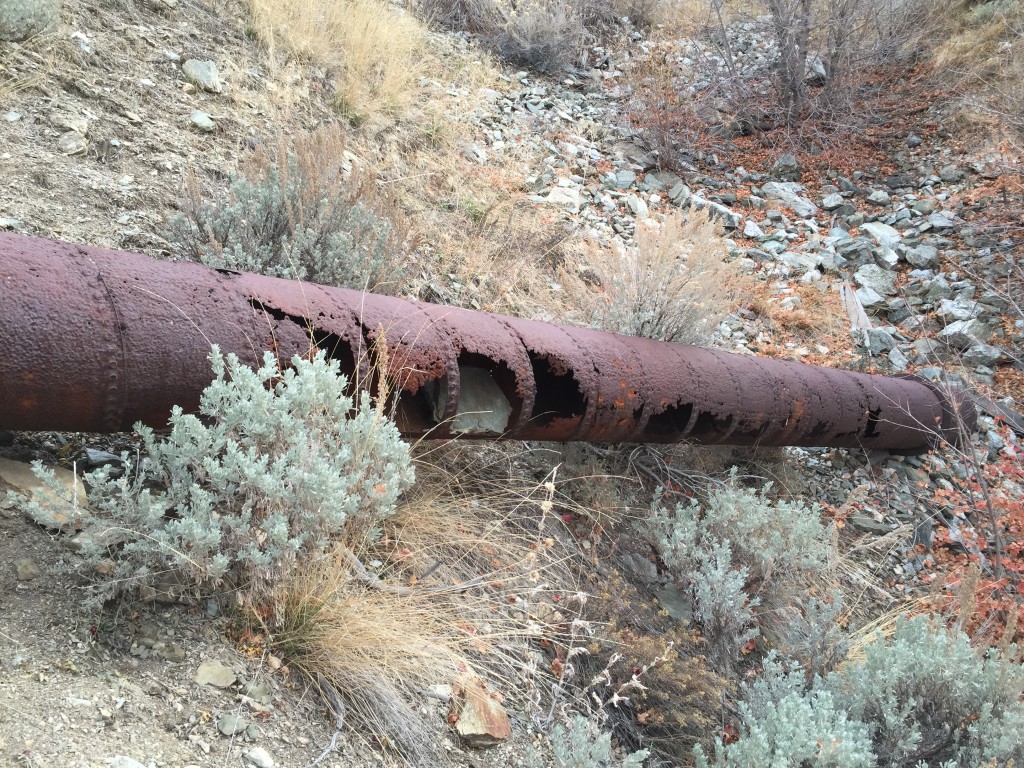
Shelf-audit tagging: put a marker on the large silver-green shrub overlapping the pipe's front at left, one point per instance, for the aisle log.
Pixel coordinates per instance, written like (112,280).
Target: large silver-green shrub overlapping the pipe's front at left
(271,470)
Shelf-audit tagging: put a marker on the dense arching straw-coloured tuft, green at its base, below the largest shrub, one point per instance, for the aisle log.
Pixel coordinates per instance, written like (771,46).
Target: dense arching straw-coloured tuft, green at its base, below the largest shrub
(371,650)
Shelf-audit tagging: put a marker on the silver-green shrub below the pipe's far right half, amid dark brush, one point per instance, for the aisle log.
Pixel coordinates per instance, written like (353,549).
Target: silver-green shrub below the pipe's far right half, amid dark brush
(742,558)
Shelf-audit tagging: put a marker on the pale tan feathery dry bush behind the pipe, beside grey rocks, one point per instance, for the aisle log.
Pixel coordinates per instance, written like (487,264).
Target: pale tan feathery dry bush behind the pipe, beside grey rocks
(674,284)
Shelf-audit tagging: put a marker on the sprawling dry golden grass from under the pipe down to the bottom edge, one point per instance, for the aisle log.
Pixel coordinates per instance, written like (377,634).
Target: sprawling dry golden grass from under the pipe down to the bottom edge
(448,587)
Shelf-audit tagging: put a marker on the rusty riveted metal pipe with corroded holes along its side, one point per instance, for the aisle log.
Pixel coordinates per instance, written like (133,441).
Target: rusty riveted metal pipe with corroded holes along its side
(97,340)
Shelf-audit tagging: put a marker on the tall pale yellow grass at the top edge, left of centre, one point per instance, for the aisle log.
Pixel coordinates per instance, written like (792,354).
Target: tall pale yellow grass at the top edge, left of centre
(377,52)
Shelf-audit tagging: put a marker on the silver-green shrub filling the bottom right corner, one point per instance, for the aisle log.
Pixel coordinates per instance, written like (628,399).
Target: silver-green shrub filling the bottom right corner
(923,699)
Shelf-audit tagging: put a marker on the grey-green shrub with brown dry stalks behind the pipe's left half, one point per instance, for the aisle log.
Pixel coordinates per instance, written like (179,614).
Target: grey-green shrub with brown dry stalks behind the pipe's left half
(303,214)
